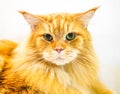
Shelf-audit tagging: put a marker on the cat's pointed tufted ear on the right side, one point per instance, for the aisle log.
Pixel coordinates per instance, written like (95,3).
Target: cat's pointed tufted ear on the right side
(86,16)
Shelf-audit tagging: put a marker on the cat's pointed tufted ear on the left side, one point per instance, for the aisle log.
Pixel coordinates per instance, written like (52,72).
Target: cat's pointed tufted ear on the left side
(32,20)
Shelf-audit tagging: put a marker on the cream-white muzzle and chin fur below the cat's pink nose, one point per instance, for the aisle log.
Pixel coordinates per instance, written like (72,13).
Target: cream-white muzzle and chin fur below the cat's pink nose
(60,59)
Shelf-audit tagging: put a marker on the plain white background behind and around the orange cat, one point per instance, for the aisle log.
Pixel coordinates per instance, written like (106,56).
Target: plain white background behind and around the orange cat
(104,27)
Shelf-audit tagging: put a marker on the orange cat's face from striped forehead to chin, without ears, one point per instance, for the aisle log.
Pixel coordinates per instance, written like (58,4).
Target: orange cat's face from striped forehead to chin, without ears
(60,41)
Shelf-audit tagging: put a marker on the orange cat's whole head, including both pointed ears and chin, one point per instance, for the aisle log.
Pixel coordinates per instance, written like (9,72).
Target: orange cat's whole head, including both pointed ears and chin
(59,38)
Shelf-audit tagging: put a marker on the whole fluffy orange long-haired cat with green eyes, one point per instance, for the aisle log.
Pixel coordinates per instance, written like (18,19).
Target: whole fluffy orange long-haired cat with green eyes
(57,57)
